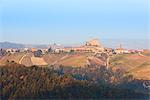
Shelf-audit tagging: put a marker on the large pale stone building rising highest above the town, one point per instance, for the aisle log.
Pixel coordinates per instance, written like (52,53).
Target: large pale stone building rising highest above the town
(90,46)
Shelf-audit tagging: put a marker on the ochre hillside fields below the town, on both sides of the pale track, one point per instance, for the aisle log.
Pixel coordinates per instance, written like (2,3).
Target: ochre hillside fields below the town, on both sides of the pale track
(136,65)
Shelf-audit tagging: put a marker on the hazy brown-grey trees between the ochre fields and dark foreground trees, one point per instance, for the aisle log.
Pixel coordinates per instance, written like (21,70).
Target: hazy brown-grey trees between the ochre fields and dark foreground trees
(99,75)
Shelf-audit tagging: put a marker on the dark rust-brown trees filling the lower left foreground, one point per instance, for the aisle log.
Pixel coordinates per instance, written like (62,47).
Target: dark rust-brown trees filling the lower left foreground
(20,82)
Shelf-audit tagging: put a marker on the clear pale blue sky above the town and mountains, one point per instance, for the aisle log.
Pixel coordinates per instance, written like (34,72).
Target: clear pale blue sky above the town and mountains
(73,21)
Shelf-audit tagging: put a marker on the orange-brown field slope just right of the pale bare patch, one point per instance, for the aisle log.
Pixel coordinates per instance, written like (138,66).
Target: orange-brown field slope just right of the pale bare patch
(67,59)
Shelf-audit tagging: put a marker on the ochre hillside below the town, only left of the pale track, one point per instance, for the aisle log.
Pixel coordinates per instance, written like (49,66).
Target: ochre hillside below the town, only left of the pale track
(65,59)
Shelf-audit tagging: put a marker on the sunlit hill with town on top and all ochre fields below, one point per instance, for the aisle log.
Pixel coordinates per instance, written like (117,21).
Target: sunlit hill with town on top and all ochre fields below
(92,53)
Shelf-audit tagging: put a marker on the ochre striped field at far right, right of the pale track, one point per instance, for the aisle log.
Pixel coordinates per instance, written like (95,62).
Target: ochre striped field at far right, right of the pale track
(134,64)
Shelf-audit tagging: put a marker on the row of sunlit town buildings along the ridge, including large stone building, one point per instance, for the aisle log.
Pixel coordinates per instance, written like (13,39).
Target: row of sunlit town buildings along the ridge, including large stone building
(91,46)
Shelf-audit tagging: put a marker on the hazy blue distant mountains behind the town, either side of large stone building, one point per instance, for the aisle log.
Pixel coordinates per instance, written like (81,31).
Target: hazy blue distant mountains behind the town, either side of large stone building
(110,43)
